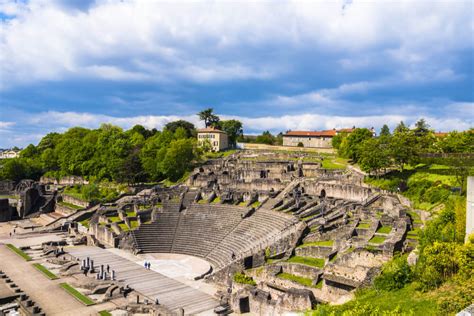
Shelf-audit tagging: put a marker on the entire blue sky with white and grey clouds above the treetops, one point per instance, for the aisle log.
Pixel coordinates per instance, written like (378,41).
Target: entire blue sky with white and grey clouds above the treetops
(275,65)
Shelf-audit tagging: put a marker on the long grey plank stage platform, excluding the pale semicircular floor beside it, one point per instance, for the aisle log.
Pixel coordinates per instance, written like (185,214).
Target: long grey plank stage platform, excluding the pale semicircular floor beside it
(169,292)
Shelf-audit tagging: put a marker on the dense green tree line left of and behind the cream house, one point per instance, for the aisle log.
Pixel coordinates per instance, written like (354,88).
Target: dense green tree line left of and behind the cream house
(111,153)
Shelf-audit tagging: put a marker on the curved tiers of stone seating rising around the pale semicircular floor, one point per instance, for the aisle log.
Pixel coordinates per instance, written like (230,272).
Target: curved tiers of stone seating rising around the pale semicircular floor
(216,233)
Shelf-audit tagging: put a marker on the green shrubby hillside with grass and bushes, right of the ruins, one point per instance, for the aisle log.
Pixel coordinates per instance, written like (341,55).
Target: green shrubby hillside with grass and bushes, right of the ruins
(441,282)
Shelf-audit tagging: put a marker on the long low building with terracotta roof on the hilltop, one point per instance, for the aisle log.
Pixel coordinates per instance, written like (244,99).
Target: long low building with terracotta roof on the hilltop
(314,139)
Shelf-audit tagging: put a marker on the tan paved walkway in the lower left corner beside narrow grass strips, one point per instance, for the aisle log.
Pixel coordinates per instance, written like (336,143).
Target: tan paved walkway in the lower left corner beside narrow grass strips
(46,293)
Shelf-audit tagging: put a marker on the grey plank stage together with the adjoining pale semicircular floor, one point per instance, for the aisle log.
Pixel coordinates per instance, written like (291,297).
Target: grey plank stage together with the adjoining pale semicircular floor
(164,285)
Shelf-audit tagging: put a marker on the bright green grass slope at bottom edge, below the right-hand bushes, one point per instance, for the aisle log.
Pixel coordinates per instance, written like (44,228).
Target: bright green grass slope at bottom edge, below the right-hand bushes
(406,300)
